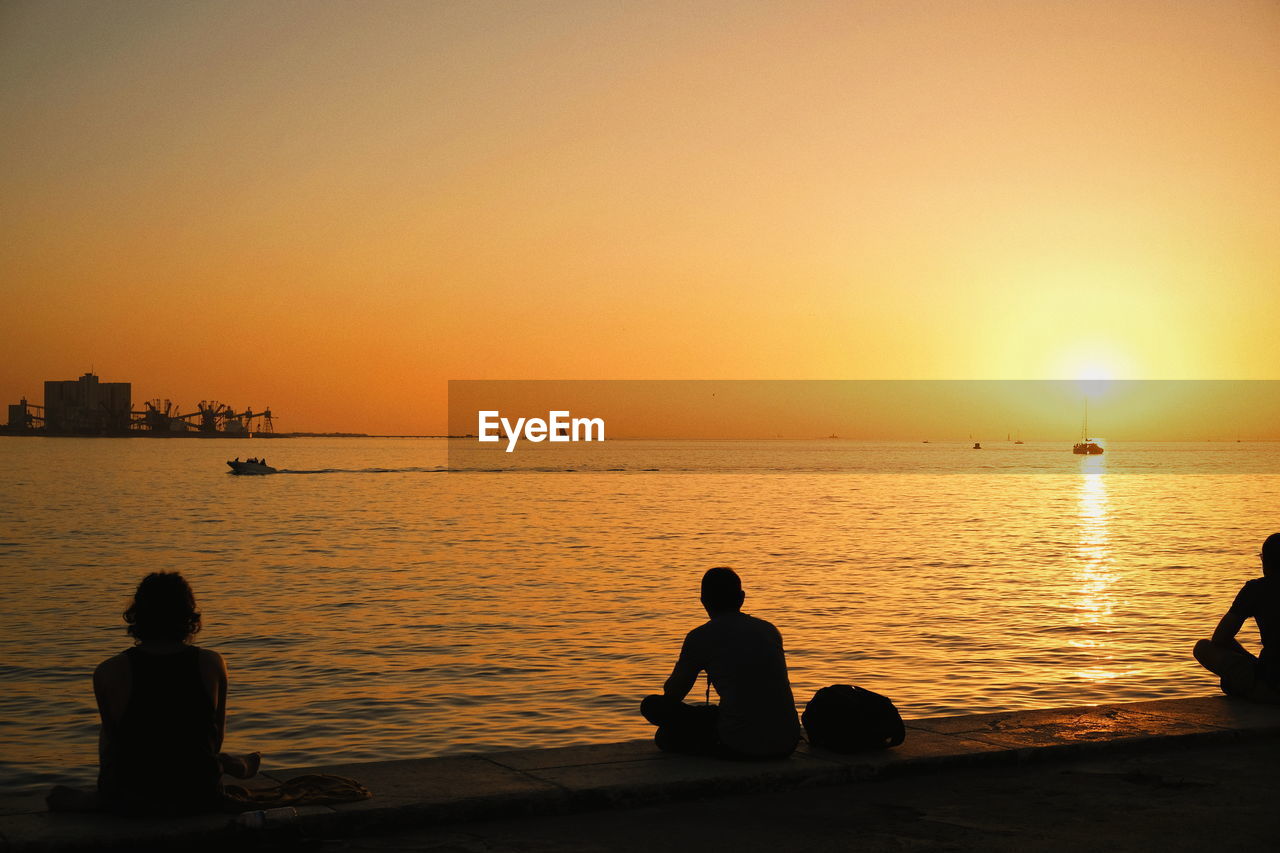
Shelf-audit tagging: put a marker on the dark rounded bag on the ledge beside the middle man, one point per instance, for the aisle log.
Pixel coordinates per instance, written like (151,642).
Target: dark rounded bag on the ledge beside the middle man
(847,719)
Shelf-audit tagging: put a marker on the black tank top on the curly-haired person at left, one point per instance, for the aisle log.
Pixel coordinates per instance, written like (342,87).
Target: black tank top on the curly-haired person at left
(162,756)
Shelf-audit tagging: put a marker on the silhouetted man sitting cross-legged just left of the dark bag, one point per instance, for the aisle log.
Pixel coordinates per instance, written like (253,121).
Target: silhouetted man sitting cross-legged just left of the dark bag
(744,660)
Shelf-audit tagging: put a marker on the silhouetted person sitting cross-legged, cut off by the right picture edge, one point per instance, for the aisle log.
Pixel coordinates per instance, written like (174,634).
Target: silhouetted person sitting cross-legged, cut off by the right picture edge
(1244,674)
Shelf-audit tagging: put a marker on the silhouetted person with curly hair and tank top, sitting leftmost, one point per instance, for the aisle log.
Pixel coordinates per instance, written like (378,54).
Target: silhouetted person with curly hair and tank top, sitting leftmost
(164,711)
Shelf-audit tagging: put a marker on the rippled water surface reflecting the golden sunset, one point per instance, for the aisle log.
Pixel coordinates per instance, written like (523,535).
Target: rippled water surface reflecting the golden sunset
(372,606)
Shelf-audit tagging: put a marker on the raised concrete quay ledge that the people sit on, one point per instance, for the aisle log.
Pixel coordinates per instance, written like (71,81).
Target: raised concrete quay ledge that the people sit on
(442,792)
